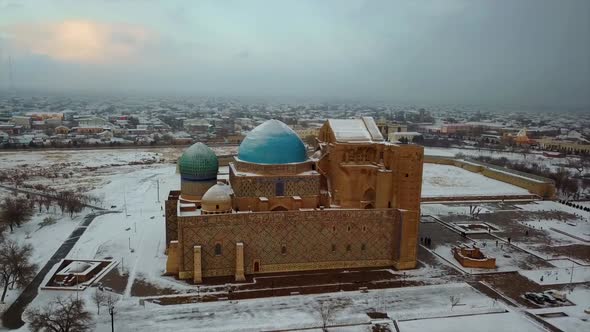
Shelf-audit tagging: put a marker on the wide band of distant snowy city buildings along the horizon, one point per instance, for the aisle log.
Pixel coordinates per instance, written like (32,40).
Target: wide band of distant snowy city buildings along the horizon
(69,122)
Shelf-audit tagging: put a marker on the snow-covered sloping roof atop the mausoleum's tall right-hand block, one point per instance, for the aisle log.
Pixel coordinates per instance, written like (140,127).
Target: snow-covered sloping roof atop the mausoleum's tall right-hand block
(355,130)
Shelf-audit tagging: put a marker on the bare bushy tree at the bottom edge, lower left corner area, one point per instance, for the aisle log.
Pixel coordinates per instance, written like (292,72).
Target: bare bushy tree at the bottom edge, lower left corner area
(61,315)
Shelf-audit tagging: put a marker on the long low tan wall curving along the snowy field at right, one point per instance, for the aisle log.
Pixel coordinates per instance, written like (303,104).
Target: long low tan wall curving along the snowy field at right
(537,185)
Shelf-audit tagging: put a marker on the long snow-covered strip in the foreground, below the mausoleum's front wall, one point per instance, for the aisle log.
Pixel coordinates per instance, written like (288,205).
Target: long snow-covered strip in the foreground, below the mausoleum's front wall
(299,311)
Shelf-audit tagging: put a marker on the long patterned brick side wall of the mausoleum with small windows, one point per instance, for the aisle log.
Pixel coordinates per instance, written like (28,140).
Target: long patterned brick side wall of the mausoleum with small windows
(308,237)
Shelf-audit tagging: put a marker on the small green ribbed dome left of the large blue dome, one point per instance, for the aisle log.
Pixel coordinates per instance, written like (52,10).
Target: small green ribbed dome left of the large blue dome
(198,162)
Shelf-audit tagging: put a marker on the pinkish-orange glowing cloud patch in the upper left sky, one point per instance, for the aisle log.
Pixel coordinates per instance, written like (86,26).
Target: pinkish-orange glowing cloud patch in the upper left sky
(81,41)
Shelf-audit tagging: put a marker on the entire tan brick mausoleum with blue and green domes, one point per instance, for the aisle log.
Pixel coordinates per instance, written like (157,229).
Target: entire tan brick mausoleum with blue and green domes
(354,204)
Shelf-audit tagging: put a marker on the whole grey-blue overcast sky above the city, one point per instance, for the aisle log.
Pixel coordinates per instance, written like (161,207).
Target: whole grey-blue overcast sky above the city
(527,52)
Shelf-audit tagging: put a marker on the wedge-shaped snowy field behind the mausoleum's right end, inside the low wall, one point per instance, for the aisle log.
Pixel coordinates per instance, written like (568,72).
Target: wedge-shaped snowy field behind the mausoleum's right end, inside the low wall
(444,180)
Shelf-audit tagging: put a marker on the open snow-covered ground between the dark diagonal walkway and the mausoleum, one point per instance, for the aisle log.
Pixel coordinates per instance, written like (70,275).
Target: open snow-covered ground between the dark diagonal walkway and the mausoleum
(140,226)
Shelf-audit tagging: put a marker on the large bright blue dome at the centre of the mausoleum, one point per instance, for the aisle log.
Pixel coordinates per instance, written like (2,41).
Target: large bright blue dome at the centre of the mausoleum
(272,142)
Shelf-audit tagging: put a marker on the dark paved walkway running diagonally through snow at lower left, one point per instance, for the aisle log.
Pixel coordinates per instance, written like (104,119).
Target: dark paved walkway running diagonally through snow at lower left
(12,318)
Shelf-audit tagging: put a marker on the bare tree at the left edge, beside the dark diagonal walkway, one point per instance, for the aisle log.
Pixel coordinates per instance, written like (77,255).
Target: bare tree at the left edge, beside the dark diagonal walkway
(15,265)
